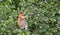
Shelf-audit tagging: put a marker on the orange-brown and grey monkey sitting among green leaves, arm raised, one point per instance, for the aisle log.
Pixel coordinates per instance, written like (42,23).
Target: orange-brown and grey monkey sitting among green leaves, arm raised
(22,22)
